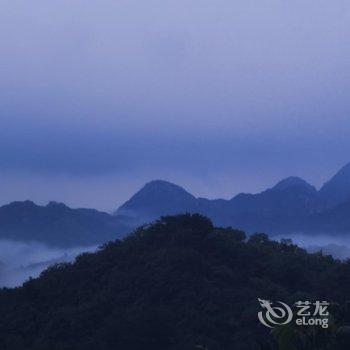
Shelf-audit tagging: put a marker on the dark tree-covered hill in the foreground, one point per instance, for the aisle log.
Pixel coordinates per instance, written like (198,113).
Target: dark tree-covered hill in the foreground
(178,284)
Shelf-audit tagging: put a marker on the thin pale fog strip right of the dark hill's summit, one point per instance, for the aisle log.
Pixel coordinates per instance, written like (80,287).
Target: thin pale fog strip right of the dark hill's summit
(337,246)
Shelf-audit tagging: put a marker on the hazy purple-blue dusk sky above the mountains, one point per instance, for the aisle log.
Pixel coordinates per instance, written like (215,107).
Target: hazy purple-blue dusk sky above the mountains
(220,97)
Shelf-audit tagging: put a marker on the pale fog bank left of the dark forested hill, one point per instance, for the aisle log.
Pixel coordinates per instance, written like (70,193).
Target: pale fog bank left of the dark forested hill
(19,261)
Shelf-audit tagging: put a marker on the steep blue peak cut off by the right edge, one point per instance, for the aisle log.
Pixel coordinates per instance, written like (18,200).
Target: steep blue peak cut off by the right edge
(337,190)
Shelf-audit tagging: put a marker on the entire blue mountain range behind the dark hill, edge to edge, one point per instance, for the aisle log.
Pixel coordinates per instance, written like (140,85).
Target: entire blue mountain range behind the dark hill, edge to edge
(291,206)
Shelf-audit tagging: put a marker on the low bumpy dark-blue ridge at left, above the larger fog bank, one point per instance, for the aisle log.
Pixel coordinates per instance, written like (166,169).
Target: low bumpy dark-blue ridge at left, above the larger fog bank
(58,225)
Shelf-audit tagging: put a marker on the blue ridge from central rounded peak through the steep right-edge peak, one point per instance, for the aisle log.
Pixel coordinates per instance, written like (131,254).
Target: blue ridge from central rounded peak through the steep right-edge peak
(292,205)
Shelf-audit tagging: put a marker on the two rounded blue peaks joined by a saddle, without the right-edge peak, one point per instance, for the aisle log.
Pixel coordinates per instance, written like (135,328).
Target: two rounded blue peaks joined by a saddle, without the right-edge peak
(270,210)
